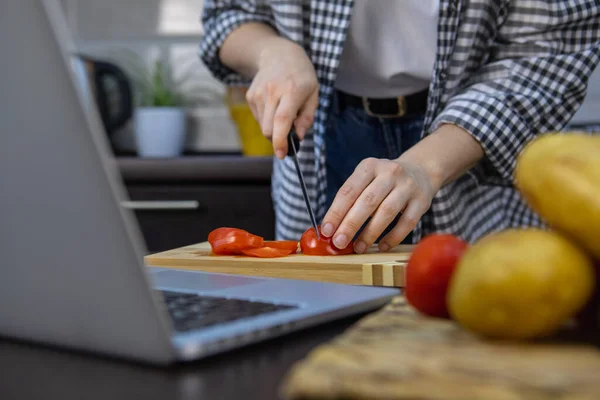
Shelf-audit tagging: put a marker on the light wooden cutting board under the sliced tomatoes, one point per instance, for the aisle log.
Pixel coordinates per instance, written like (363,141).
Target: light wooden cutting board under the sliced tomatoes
(371,268)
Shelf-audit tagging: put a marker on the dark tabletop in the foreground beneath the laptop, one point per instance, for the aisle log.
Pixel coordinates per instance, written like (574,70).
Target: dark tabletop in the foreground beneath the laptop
(32,372)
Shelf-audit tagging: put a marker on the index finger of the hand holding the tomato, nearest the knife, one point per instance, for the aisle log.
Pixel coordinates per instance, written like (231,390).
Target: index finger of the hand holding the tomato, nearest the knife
(354,186)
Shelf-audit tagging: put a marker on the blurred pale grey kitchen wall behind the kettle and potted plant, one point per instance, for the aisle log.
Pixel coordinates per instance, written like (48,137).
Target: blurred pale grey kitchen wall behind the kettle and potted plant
(169,30)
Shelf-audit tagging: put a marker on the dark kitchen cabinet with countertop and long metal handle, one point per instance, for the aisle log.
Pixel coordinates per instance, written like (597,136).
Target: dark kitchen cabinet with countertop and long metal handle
(178,202)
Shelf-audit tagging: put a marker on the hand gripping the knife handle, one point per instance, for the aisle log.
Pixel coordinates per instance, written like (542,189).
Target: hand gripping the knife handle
(284,91)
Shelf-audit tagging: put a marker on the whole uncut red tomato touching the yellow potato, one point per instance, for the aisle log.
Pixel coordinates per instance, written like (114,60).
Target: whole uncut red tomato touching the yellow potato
(429,271)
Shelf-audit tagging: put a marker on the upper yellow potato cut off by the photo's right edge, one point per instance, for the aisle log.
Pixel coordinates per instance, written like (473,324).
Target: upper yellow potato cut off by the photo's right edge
(559,177)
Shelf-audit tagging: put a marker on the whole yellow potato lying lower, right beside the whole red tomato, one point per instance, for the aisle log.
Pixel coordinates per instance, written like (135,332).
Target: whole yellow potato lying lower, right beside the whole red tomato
(520,284)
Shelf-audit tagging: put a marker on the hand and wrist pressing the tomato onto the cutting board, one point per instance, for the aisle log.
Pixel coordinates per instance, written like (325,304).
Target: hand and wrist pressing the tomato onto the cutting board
(384,188)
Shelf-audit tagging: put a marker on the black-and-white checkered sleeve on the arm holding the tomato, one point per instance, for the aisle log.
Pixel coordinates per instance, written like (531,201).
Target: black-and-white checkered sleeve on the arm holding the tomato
(534,82)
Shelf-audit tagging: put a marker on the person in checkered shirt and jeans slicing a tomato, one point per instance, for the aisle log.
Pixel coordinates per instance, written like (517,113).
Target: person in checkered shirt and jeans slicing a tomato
(416,109)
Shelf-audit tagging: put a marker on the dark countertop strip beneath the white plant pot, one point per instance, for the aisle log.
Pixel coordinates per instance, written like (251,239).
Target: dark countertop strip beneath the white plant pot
(213,168)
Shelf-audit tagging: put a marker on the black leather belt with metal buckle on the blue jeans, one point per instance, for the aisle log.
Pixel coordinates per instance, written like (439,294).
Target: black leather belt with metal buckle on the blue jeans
(394,107)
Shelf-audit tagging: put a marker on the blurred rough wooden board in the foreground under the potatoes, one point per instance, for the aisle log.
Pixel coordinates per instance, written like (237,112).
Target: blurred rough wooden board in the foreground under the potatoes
(398,354)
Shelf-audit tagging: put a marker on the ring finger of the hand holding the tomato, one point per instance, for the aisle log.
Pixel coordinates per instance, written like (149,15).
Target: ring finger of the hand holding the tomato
(385,214)
